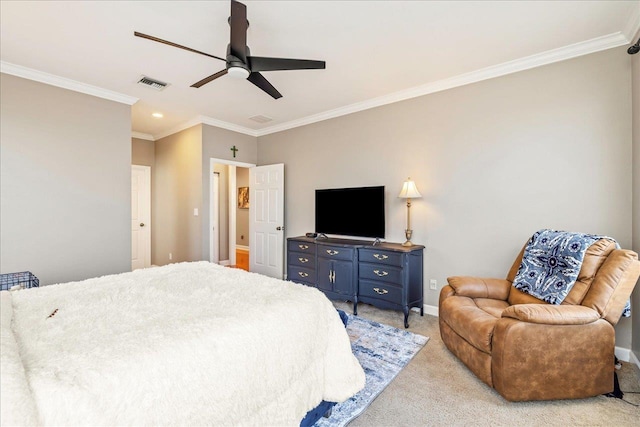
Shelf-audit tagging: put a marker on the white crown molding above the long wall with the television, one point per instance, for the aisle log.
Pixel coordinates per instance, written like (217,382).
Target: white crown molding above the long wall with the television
(549,57)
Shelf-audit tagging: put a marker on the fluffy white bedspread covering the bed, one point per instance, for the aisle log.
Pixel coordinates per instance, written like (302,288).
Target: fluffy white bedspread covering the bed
(184,344)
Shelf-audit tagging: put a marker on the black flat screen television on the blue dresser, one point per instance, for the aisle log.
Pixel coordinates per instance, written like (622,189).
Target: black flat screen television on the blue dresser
(357,212)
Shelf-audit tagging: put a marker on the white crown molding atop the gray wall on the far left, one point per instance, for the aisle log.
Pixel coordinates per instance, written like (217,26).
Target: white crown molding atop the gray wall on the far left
(53,80)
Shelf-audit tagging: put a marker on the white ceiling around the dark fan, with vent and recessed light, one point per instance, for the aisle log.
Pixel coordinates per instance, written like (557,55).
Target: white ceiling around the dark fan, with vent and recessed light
(376,52)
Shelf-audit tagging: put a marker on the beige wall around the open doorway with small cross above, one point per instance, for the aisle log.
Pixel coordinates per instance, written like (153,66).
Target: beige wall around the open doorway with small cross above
(216,144)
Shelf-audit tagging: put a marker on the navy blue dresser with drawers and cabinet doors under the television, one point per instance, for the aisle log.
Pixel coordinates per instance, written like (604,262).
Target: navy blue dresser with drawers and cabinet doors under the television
(386,275)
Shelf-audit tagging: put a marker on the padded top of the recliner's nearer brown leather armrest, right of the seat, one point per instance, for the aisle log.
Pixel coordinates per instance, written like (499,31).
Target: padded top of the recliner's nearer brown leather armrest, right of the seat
(549,314)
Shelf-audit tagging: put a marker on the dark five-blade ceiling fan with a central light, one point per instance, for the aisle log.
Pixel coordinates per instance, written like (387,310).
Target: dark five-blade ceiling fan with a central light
(239,61)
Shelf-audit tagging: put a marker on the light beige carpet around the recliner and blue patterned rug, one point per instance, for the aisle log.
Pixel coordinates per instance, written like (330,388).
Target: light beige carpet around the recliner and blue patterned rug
(435,389)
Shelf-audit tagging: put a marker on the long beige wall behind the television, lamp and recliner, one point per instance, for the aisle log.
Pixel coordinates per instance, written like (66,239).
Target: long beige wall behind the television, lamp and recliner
(495,161)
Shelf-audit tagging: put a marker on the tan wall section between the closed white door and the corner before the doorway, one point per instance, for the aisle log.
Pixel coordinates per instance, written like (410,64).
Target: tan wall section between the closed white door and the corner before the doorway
(177,191)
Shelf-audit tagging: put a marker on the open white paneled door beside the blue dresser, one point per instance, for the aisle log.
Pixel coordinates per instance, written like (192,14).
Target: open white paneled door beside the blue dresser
(266,220)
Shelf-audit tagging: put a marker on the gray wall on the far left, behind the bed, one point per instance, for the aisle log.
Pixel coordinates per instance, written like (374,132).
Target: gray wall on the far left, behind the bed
(65,182)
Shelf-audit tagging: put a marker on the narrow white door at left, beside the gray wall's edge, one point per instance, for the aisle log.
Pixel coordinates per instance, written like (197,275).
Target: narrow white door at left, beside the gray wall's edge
(140,217)
